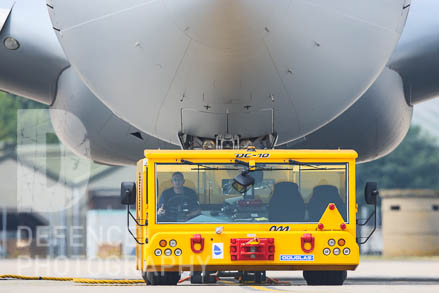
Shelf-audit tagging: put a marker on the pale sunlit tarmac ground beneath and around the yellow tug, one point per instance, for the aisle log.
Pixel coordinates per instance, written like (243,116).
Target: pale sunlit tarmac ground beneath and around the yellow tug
(373,275)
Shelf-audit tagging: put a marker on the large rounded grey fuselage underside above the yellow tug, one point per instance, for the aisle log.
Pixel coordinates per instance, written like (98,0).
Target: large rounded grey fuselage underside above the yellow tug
(241,67)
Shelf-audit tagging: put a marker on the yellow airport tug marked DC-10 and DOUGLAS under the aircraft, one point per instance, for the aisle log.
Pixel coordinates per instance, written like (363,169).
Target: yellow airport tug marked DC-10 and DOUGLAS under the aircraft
(243,212)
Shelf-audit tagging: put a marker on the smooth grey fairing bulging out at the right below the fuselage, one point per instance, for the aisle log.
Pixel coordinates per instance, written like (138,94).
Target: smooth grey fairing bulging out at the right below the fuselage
(374,126)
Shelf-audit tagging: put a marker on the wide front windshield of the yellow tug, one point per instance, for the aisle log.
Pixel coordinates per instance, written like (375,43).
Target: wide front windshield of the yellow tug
(281,193)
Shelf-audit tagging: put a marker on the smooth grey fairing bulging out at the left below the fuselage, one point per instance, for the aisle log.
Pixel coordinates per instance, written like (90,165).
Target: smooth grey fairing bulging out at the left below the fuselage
(79,118)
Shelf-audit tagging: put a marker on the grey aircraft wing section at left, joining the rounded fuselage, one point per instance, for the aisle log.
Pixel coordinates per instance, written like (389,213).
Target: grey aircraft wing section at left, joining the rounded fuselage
(33,69)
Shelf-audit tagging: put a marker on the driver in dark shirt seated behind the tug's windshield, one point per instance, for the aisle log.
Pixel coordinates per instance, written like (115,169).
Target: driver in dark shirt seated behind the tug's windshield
(178,203)
